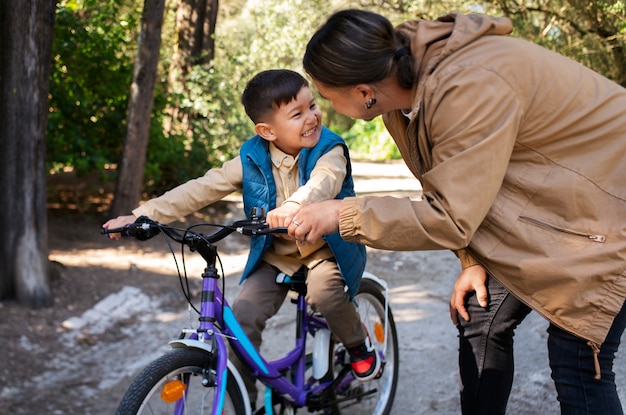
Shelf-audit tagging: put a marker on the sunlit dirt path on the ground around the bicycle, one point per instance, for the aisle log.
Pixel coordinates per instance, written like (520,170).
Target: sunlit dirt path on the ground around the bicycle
(117,305)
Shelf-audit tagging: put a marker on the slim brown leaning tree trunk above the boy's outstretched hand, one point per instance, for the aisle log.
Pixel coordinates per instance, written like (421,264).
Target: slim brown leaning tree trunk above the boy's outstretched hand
(131,168)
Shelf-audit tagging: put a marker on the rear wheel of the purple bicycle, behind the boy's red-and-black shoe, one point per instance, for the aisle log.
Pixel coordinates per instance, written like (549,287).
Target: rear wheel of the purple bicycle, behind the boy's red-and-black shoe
(375,396)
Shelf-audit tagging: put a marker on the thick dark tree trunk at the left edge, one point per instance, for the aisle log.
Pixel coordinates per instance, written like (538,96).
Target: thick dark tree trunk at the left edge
(25,48)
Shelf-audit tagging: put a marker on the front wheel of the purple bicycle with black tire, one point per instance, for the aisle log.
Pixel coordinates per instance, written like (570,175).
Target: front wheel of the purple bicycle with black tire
(144,393)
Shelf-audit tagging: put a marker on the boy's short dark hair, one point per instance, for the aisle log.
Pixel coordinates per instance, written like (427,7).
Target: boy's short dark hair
(270,89)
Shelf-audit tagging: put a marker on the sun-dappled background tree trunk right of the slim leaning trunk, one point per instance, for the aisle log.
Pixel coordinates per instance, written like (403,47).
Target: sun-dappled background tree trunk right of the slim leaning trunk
(195,45)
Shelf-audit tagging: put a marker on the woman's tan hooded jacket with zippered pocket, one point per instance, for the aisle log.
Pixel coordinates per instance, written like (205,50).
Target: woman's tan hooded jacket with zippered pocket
(522,157)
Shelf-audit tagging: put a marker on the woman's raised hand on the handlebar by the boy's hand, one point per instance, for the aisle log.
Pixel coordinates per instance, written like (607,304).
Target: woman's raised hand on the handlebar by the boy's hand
(315,220)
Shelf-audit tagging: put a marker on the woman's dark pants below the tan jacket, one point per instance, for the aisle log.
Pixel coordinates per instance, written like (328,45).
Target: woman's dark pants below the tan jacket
(487,366)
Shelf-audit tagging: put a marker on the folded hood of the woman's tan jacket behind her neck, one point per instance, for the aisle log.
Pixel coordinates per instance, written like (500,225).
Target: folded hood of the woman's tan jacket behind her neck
(434,40)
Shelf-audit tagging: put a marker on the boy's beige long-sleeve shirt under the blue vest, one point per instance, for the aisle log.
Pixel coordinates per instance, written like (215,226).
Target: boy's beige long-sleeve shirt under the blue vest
(324,183)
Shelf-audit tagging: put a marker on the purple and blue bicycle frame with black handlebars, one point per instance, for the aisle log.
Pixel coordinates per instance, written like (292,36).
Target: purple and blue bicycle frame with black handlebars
(284,377)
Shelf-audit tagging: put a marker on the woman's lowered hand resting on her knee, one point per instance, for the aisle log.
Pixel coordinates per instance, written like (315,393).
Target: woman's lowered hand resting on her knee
(472,279)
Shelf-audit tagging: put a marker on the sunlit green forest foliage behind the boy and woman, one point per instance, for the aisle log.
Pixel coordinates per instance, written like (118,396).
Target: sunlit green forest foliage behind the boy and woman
(206,51)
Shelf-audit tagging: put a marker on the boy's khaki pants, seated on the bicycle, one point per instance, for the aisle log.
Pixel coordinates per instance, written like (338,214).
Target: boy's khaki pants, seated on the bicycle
(261,297)
